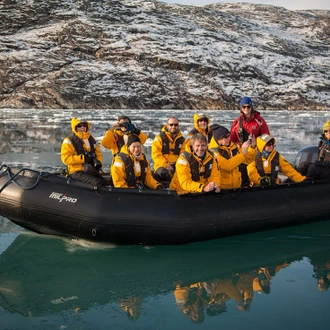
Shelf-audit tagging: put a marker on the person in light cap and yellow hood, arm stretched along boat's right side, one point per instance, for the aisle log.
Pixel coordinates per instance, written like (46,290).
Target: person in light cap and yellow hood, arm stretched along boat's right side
(264,170)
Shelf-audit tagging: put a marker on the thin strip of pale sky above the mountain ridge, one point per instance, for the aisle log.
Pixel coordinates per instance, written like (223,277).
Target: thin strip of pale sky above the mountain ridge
(289,4)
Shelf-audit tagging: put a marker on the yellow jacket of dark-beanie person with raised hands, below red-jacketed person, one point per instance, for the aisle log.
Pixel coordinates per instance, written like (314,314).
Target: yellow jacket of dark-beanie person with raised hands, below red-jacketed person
(230,175)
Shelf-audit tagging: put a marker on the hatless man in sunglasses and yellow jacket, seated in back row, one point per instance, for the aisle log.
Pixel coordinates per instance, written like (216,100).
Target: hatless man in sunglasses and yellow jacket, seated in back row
(166,148)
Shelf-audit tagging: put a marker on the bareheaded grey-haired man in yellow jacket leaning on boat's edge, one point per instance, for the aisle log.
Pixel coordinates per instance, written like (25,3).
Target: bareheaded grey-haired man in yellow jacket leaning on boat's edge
(196,169)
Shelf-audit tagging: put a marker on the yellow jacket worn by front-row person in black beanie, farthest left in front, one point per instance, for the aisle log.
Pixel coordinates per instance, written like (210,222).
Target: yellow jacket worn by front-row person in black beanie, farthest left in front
(118,171)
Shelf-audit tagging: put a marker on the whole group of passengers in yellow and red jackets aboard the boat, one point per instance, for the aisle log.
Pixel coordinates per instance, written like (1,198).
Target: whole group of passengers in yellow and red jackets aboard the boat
(210,158)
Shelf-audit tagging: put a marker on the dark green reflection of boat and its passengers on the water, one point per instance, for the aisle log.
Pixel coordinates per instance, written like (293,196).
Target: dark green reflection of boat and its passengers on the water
(42,276)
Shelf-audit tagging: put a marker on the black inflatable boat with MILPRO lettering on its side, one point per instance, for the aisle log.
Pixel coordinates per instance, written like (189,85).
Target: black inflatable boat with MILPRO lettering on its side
(50,204)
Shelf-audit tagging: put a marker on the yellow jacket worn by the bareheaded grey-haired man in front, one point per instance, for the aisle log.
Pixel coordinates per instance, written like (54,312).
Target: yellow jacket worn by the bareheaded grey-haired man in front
(182,180)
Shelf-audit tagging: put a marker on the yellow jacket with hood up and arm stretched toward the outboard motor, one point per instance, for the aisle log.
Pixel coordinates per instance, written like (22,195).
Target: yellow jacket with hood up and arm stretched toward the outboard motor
(284,166)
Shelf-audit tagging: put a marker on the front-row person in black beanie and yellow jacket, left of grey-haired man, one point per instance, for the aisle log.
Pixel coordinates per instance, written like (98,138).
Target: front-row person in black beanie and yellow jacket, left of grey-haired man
(131,169)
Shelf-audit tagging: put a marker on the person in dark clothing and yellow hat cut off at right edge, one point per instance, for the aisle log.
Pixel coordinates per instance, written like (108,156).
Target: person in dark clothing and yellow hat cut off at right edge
(321,167)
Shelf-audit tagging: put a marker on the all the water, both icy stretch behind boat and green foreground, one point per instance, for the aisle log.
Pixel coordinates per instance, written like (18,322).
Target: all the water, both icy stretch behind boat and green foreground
(275,279)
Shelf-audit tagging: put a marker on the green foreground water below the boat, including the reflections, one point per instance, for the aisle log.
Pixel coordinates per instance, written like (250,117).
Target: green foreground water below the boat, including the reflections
(275,279)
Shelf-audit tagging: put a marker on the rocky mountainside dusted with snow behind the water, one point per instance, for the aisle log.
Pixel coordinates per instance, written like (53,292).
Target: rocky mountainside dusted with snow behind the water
(152,55)
